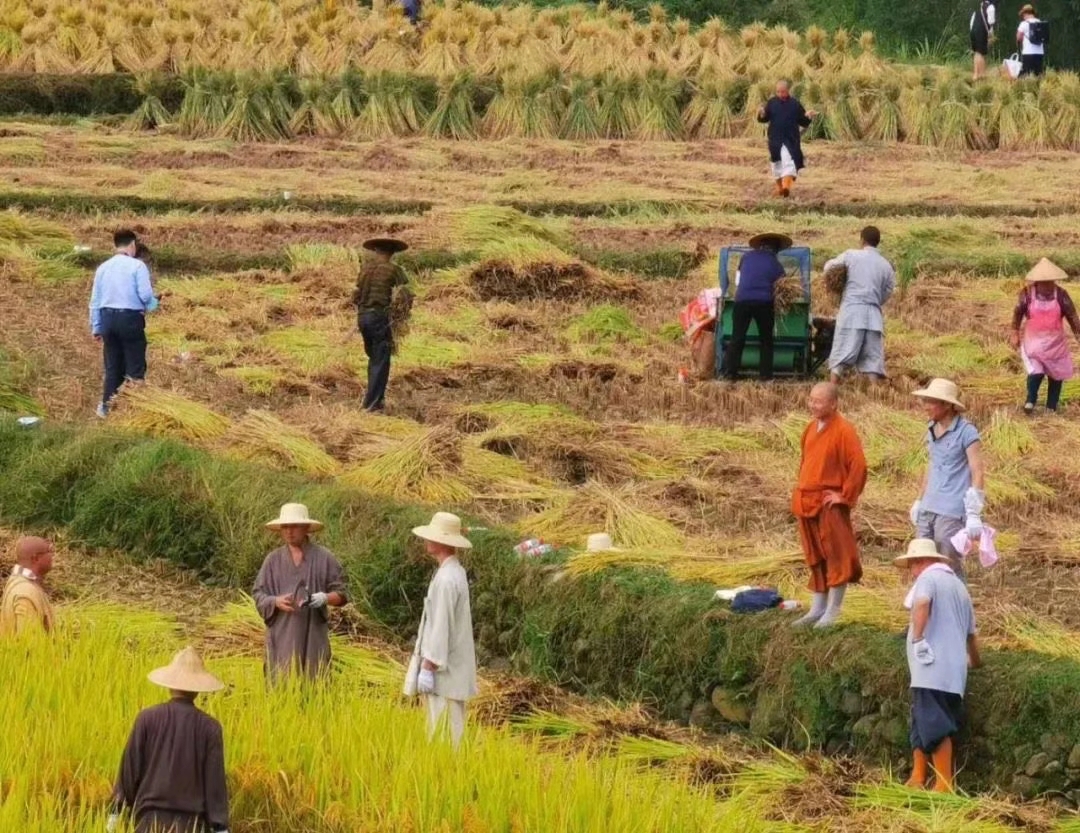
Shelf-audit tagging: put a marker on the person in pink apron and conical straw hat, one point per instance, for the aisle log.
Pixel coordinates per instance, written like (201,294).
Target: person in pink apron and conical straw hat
(1038,331)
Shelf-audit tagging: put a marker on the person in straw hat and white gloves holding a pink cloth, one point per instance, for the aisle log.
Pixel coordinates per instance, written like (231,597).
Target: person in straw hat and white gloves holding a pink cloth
(952,495)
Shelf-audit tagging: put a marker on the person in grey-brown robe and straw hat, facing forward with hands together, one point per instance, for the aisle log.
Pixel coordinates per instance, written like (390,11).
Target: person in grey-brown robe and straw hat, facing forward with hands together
(296,586)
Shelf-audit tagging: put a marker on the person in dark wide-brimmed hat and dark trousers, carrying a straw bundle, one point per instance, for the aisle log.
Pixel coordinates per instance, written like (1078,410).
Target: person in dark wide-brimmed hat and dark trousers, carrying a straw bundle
(379,278)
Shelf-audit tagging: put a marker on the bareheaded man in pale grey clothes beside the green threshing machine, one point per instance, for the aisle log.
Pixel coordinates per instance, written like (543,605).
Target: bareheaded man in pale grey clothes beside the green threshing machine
(860,325)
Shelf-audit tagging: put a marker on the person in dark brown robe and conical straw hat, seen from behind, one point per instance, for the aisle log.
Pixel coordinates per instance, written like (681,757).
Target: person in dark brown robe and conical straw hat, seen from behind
(172,773)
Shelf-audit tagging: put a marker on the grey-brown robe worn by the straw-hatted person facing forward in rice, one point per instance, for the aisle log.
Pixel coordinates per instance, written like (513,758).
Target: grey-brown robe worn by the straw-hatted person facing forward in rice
(302,639)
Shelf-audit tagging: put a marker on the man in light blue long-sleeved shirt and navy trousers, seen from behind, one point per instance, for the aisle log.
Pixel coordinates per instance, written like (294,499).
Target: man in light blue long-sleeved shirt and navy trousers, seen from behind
(121,298)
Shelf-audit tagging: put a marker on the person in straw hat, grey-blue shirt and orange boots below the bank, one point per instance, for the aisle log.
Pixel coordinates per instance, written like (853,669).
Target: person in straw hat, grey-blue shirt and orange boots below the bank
(941,644)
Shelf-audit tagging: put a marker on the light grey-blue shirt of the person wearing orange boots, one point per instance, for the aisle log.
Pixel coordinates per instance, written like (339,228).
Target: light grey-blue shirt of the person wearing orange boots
(952,622)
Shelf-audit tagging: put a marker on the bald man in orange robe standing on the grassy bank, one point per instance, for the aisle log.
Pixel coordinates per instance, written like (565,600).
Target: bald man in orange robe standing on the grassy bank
(832,478)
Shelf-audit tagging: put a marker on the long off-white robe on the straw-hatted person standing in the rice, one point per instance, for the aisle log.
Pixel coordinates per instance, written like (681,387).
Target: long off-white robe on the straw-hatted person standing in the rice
(445,638)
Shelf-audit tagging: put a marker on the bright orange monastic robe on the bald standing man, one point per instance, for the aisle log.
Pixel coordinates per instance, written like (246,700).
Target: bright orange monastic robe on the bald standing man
(833,461)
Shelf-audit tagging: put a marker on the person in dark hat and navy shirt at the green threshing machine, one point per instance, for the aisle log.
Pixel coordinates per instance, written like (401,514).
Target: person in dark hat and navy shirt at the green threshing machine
(755,291)
